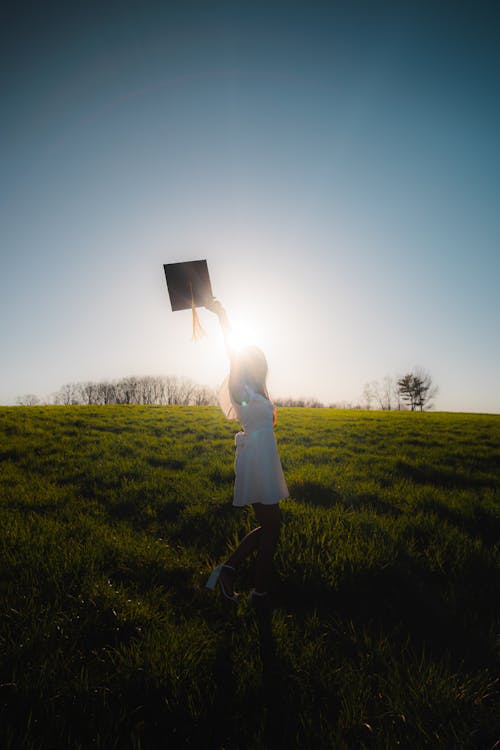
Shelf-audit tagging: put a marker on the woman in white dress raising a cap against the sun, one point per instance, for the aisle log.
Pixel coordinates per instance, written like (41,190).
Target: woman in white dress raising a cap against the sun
(259,479)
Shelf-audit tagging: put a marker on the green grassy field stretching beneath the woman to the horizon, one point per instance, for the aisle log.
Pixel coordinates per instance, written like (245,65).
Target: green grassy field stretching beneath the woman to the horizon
(383,634)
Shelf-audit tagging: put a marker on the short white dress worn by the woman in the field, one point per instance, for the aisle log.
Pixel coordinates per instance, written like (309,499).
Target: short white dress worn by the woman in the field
(259,475)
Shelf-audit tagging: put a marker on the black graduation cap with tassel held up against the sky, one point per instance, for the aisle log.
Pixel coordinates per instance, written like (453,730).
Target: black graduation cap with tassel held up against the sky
(188,288)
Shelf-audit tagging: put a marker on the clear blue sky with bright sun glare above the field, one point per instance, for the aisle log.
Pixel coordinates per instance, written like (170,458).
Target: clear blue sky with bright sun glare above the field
(337,164)
